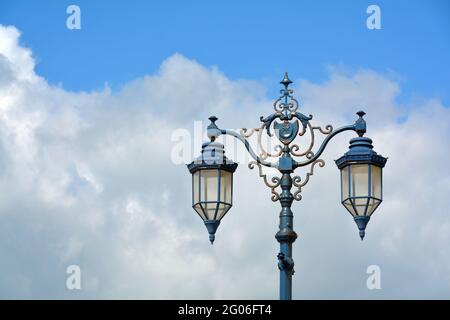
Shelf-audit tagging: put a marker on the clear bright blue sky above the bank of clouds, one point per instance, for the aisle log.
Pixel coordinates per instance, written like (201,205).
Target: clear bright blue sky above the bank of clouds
(122,40)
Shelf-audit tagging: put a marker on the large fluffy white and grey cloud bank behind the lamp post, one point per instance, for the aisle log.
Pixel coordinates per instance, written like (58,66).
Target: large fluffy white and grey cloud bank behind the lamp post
(87,179)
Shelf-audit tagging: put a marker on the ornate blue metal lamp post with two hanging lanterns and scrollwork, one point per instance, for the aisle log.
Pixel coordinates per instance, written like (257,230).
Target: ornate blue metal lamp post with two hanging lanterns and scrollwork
(361,173)
